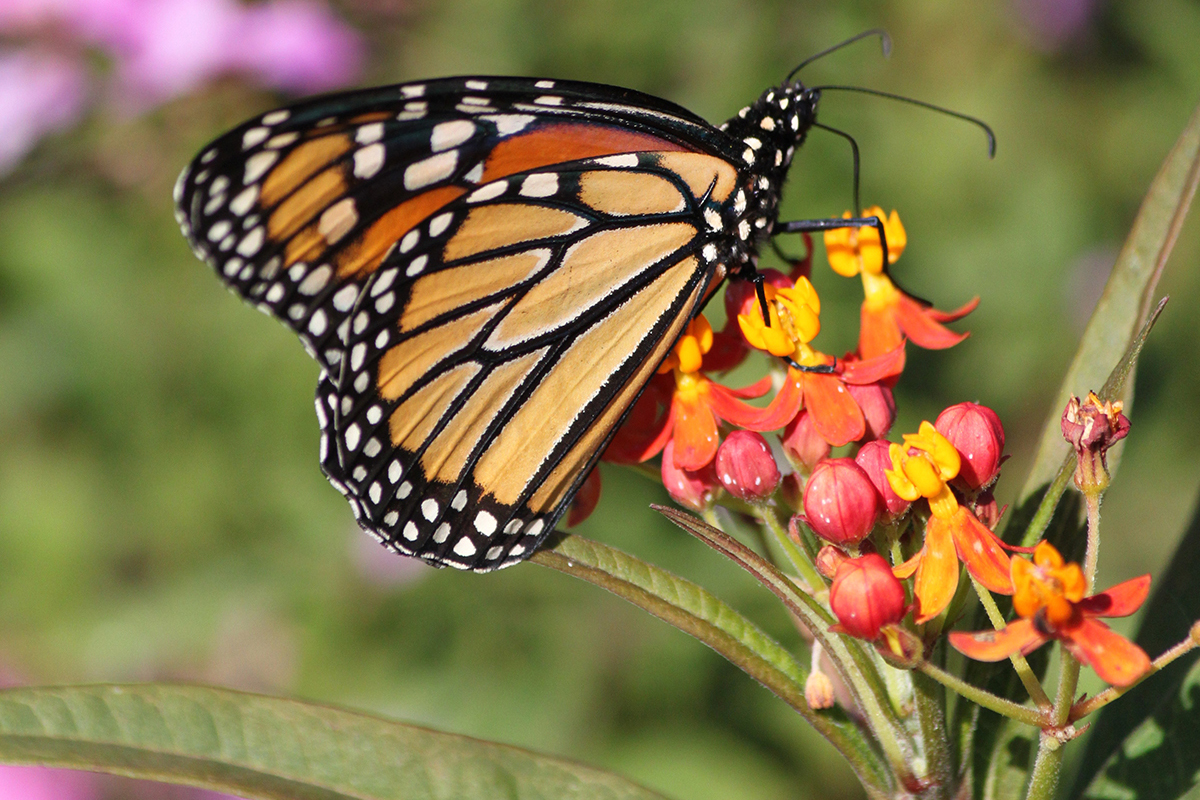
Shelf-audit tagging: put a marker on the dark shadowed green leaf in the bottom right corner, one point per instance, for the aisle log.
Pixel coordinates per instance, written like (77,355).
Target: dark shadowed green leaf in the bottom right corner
(1163,703)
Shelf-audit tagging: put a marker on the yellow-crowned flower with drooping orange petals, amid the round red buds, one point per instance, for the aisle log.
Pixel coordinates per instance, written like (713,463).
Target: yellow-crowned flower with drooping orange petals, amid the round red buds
(922,468)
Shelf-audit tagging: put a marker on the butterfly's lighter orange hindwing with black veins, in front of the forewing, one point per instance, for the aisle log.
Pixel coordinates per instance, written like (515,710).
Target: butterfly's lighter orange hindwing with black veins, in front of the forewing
(477,401)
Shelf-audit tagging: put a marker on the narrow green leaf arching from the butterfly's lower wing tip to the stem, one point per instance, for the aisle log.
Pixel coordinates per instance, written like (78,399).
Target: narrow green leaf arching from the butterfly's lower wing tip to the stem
(698,612)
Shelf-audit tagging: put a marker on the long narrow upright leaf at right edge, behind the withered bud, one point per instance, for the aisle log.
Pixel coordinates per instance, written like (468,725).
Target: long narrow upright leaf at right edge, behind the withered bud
(1129,296)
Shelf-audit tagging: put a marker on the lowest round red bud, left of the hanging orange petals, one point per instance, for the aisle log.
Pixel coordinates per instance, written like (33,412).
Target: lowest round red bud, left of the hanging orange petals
(866,597)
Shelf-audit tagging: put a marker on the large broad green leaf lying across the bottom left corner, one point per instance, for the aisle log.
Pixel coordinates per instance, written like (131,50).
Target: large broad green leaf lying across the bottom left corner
(265,748)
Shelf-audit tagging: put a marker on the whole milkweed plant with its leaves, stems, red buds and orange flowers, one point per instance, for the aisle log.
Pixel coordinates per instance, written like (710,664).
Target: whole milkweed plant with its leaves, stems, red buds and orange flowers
(931,615)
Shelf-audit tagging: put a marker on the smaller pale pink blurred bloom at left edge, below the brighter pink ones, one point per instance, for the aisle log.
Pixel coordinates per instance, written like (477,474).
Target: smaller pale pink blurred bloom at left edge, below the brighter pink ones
(40,93)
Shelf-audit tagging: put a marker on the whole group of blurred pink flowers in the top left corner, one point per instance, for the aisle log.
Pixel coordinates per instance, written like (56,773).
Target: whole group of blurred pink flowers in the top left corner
(159,50)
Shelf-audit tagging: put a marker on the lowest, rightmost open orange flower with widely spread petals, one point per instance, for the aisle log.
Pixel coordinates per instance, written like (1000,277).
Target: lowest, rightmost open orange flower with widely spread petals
(1051,599)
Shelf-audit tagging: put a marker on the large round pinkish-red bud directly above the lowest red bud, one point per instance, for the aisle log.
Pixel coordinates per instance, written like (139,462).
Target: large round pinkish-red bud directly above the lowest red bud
(841,502)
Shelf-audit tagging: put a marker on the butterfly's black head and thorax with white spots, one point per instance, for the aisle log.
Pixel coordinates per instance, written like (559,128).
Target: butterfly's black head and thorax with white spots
(769,131)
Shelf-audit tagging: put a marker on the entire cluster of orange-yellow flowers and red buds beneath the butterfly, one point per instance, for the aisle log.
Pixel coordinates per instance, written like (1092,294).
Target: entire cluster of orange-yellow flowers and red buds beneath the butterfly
(889,528)
